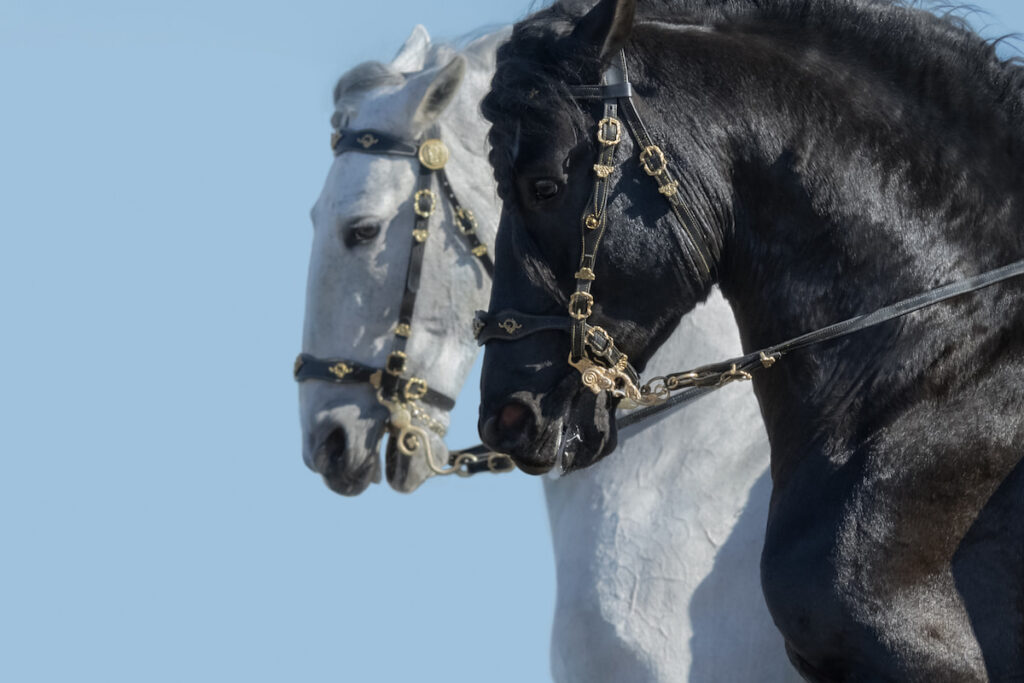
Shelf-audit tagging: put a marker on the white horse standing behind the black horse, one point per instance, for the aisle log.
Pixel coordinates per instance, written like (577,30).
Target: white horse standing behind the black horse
(657,547)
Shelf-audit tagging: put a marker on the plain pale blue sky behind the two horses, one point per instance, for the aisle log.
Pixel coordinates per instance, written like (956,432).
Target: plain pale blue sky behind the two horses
(158,162)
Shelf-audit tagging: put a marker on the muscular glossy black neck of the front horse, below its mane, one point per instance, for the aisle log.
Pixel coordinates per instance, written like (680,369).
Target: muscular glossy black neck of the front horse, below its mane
(849,193)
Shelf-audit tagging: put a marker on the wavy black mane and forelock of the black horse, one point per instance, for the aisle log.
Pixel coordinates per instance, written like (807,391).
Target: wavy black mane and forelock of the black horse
(941,52)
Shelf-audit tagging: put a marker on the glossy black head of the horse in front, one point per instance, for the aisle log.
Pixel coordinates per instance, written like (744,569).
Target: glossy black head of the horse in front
(547,159)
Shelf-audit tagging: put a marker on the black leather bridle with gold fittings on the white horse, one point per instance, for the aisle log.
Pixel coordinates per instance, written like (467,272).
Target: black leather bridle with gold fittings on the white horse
(396,389)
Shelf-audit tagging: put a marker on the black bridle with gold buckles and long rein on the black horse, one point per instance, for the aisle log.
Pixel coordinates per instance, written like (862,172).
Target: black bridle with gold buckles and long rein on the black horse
(592,351)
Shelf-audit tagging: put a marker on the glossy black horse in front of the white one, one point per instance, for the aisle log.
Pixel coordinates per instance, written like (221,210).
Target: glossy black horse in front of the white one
(832,157)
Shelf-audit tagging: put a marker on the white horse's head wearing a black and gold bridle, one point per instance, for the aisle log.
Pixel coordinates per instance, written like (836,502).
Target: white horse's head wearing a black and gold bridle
(373,369)
